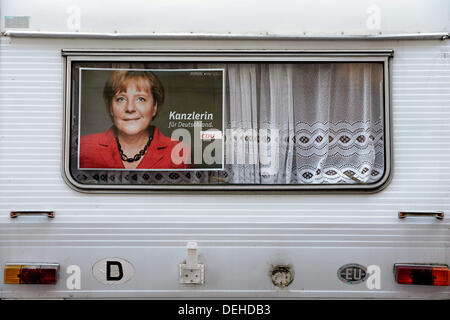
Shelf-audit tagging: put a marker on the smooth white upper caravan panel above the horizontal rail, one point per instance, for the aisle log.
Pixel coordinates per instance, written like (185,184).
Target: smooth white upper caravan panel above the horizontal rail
(257,17)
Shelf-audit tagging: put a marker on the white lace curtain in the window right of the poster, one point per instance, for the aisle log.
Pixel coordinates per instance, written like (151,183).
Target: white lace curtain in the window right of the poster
(327,117)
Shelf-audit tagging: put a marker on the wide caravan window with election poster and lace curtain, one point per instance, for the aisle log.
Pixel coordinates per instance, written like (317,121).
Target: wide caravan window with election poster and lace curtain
(241,124)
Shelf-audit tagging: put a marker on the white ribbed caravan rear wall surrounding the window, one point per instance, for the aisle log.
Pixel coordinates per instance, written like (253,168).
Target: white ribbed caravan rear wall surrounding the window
(240,234)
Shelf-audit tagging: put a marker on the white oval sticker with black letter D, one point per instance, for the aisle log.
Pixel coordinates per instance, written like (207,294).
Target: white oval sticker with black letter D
(113,271)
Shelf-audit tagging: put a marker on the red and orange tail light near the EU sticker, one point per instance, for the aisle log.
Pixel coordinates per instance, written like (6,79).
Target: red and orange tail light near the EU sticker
(433,275)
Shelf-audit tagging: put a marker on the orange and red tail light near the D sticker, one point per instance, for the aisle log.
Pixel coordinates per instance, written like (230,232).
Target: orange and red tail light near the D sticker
(31,273)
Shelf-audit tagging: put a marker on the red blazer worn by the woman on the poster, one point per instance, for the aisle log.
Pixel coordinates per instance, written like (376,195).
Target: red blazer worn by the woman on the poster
(100,150)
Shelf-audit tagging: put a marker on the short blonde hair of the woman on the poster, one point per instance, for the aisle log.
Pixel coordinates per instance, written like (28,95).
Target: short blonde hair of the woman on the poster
(119,80)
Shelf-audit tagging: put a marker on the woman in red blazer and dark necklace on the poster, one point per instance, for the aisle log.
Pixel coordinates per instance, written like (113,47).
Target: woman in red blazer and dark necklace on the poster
(133,99)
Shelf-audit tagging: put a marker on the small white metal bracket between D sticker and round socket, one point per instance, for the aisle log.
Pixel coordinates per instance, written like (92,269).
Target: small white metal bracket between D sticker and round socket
(192,272)
